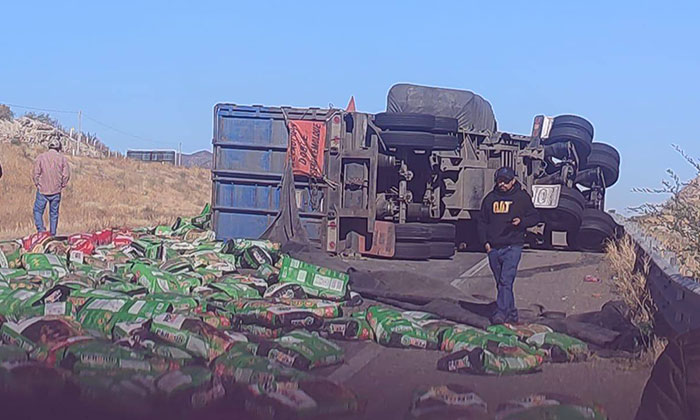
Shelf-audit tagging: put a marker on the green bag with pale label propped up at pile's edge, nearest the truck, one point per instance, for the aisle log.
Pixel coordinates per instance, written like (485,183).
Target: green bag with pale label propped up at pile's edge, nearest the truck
(317,281)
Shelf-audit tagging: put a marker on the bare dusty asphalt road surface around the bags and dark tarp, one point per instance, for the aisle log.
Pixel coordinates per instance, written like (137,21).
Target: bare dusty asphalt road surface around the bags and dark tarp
(385,377)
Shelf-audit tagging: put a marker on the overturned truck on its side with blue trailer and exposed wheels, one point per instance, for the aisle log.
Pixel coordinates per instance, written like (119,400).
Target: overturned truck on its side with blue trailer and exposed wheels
(406,183)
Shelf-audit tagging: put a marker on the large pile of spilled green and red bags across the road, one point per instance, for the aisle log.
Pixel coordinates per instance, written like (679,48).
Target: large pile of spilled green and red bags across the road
(167,318)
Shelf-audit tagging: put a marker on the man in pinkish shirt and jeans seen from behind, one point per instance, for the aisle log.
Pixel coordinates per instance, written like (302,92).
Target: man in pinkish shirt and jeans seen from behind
(51,174)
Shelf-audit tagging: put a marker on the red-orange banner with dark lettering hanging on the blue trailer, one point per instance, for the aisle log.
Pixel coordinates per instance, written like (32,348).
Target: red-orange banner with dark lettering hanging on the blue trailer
(307,139)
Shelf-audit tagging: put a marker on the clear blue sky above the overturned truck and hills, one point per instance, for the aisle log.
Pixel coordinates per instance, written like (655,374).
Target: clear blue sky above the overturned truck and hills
(154,70)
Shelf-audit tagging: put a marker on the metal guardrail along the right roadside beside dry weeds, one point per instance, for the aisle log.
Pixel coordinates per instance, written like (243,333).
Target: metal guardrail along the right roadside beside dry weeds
(677,297)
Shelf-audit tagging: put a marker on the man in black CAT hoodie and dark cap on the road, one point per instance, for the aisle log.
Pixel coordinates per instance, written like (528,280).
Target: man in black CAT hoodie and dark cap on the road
(505,214)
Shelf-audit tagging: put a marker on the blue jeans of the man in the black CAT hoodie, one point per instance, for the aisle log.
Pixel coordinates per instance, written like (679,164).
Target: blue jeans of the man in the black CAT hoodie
(504,265)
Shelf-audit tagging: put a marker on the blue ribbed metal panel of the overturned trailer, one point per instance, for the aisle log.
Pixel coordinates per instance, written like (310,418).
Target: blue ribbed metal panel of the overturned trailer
(250,146)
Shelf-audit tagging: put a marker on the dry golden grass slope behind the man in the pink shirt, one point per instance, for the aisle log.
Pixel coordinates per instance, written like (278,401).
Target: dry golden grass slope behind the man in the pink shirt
(101,193)
